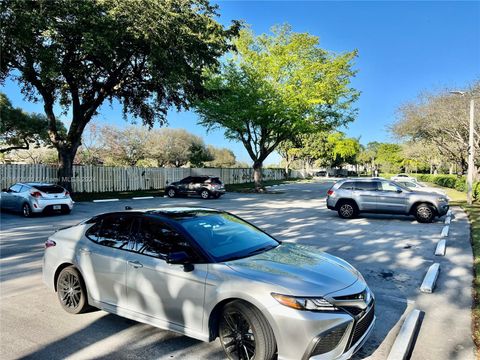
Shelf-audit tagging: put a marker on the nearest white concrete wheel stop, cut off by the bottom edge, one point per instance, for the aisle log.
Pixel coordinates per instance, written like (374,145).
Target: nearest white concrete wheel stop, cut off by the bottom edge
(403,343)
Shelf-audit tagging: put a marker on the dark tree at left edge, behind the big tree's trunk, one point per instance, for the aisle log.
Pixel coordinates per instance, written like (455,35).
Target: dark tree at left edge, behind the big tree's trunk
(20,130)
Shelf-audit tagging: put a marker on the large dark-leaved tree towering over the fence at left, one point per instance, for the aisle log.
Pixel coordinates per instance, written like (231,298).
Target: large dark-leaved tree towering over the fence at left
(149,55)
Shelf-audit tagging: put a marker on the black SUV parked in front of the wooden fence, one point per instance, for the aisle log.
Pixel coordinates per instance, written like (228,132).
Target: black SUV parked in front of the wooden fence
(205,186)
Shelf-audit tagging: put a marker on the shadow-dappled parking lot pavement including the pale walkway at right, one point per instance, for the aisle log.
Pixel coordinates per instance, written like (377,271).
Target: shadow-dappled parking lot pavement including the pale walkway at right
(392,252)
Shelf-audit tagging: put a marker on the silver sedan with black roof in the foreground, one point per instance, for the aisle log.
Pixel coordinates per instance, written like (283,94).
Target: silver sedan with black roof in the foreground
(206,274)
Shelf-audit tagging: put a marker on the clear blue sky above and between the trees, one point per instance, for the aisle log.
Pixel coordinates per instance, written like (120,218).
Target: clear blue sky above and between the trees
(404,48)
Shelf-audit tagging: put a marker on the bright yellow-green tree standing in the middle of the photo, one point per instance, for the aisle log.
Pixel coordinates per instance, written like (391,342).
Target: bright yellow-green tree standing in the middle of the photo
(276,87)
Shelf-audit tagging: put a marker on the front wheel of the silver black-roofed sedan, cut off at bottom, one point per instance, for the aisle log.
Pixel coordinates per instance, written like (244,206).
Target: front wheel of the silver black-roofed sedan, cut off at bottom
(245,333)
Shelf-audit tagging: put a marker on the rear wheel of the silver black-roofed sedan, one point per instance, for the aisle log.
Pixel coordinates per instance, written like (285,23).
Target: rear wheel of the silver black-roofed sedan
(71,291)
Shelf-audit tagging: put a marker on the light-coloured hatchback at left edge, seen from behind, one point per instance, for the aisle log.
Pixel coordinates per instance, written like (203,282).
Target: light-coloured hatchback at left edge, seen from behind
(34,198)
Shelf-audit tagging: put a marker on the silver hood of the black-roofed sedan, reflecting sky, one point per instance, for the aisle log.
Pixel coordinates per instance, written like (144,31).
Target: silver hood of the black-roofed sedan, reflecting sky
(301,270)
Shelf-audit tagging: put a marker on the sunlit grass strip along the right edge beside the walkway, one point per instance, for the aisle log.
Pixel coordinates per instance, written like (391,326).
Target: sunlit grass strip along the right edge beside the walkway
(459,198)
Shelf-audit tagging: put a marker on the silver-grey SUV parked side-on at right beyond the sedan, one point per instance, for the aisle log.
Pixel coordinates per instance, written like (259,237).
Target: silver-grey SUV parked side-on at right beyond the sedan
(353,196)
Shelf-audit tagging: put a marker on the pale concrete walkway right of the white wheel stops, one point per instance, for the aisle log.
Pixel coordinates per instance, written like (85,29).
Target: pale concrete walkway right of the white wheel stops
(446,329)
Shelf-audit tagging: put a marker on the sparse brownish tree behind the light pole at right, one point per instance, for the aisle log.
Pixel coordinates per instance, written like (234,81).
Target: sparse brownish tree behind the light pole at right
(441,119)
